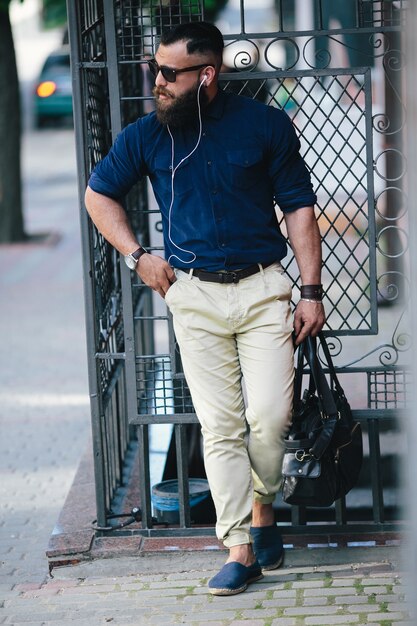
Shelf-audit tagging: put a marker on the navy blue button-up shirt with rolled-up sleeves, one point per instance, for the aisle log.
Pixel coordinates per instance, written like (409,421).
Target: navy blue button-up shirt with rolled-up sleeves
(222,213)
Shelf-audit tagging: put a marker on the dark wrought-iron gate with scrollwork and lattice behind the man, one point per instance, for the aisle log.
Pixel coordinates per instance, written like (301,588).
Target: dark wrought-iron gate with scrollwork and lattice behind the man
(336,69)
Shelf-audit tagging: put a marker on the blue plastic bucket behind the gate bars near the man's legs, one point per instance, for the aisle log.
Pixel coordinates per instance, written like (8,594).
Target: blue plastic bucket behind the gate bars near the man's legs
(165,499)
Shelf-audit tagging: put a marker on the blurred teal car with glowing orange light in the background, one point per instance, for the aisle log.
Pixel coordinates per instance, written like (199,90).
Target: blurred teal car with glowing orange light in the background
(53,90)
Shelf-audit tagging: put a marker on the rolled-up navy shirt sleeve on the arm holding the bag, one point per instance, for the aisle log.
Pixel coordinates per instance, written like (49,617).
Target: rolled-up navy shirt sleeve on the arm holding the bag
(291,179)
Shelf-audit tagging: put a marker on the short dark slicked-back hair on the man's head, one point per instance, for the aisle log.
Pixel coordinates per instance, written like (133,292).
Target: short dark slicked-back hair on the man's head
(200,37)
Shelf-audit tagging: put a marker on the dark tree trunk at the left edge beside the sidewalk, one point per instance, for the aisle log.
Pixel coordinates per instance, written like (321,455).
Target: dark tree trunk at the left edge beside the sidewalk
(11,216)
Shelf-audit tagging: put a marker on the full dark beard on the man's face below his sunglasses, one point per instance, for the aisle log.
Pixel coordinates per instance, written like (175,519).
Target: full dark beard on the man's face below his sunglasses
(183,109)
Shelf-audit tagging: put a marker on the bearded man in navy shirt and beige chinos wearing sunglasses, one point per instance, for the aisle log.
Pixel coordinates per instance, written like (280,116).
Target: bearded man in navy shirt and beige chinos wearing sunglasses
(216,162)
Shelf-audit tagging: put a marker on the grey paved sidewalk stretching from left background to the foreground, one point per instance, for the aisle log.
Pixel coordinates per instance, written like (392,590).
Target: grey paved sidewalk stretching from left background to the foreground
(44,420)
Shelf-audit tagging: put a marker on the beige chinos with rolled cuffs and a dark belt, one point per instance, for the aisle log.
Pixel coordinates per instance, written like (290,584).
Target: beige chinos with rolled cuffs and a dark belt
(226,332)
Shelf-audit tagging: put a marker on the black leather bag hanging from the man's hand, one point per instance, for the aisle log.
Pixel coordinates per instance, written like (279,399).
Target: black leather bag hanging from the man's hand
(323,448)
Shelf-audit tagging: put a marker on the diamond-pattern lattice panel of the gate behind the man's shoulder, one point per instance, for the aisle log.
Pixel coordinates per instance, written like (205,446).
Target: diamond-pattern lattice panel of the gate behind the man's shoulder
(329,113)
